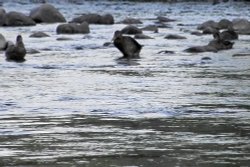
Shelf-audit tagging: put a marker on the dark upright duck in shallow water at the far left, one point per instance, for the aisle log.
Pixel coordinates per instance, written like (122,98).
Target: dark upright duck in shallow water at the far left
(15,52)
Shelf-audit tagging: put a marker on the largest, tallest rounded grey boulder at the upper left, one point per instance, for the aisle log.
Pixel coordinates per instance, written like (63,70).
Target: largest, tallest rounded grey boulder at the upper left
(46,13)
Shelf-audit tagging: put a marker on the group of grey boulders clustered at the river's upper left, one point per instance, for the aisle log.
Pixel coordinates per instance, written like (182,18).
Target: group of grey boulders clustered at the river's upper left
(46,13)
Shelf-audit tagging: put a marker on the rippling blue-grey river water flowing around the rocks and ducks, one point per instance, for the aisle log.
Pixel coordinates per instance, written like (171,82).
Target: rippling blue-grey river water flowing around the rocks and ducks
(76,104)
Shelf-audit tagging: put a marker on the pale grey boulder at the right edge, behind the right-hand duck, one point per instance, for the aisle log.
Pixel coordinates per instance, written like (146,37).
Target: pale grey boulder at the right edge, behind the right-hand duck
(242,26)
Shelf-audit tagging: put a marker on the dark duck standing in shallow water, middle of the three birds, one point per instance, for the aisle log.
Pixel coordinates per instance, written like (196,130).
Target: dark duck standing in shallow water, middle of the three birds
(129,47)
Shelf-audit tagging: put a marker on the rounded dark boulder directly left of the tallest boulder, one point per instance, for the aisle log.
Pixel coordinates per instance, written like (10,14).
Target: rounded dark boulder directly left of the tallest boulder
(17,19)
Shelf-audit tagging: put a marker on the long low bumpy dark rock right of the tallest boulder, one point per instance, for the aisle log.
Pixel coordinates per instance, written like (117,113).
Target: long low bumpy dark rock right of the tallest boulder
(93,18)
